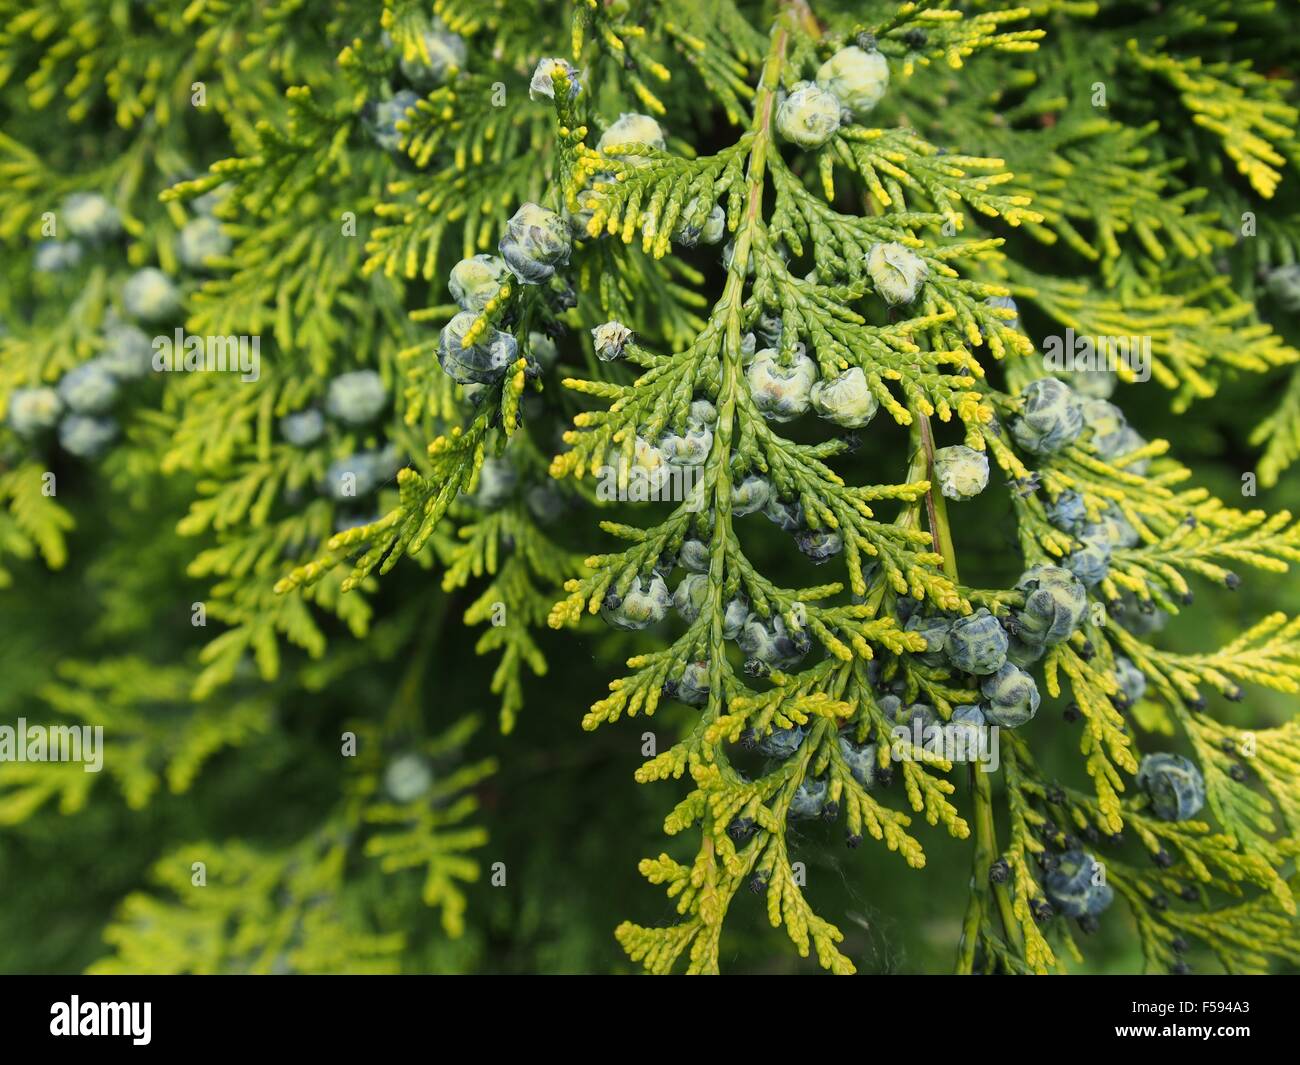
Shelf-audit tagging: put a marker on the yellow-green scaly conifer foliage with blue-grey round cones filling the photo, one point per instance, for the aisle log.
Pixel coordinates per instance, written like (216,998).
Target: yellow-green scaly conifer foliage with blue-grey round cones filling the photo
(686,335)
